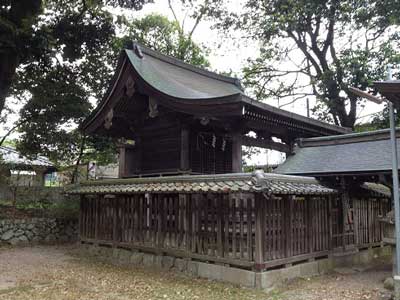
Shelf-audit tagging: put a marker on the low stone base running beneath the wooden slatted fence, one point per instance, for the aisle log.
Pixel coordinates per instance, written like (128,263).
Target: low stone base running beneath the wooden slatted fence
(252,279)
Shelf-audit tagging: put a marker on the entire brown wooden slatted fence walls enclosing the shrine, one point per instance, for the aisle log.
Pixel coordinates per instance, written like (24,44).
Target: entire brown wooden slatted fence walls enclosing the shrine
(222,227)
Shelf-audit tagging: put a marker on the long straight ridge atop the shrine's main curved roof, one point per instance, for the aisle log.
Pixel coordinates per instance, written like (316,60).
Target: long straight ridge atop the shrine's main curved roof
(177,62)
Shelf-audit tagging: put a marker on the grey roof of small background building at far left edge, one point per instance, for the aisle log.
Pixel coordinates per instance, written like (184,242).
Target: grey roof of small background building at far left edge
(13,158)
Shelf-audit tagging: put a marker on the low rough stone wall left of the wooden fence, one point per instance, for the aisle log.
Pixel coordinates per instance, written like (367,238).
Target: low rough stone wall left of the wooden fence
(38,230)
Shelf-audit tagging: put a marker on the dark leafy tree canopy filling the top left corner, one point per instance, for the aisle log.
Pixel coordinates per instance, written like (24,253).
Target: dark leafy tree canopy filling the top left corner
(37,32)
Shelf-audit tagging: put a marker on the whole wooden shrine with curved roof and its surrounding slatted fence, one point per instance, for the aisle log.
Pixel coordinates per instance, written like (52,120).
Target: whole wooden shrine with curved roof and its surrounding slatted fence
(174,119)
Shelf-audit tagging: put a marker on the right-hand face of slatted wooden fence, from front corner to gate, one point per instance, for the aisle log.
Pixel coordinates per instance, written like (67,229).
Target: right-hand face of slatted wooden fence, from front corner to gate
(296,226)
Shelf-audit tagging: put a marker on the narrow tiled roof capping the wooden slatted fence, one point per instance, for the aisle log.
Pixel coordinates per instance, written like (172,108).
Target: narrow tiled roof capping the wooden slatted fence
(224,183)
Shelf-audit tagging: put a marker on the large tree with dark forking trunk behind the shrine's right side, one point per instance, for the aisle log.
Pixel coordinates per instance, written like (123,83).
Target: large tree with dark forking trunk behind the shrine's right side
(319,48)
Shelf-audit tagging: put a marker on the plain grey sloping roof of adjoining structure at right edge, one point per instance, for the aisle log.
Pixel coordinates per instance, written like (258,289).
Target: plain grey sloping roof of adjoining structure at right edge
(366,152)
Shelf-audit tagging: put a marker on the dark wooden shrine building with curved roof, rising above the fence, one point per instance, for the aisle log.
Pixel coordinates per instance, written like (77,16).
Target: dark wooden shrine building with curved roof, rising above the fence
(174,118)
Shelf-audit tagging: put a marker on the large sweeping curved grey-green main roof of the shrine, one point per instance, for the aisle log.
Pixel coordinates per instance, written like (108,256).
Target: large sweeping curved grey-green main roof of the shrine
(189,89)
